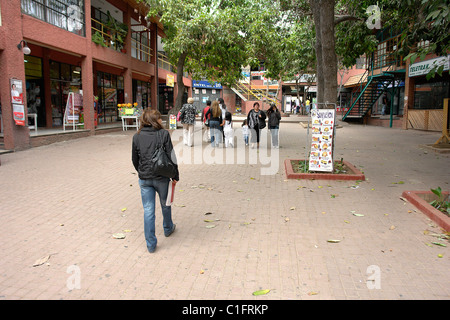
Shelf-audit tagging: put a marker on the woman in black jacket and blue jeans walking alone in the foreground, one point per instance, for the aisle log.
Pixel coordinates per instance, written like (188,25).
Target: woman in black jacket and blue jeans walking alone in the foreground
(143,147)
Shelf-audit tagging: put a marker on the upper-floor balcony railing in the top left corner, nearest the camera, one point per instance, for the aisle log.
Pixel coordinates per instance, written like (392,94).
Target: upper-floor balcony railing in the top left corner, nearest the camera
(65,14)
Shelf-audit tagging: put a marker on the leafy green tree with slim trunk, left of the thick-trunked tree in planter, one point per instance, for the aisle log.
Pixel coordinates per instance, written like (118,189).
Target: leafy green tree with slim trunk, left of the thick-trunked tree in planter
(212,39)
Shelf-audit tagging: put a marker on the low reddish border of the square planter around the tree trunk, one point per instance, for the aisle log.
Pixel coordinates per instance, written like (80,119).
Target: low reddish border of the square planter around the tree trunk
(353,174)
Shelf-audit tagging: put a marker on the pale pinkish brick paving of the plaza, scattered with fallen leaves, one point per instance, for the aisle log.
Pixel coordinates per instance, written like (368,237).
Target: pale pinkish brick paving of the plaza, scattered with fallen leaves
(67,199)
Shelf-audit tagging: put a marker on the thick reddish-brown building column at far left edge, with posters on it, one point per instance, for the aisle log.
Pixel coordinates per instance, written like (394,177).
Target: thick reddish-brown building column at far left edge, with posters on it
(12,66)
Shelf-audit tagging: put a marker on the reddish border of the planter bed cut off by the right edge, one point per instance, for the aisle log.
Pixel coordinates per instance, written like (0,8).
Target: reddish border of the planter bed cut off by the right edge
(421,199)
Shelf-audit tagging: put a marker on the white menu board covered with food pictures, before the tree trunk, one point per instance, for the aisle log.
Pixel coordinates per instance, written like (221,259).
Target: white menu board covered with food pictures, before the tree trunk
(321,156)
